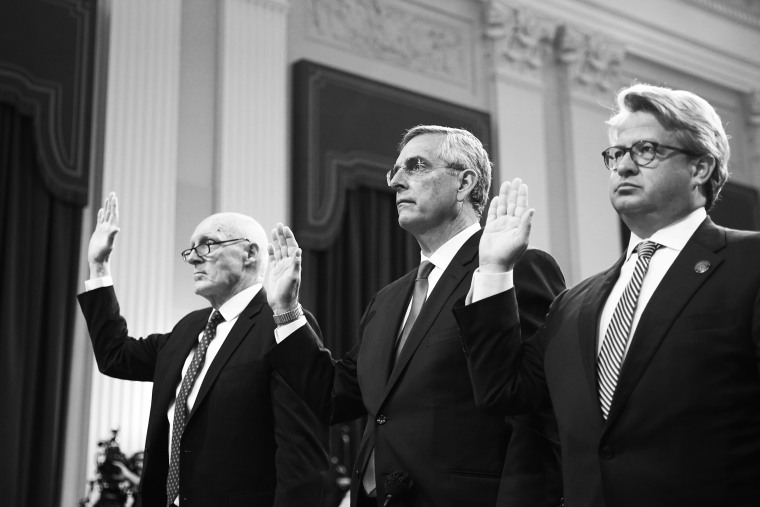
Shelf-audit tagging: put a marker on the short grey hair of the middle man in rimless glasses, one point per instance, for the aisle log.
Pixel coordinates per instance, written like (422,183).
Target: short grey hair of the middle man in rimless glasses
(461,150)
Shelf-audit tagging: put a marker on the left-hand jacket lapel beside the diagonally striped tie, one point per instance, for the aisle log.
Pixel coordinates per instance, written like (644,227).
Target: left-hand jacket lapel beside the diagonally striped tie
(588,323)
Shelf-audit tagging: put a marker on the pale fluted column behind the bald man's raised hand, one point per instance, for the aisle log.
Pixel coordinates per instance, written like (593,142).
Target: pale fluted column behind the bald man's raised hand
(139,164)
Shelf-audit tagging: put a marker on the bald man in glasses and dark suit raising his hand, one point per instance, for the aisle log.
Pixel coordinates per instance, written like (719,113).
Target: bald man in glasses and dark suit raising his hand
(224,429)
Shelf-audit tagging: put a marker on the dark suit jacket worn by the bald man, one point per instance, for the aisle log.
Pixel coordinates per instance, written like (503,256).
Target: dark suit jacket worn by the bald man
(249,440)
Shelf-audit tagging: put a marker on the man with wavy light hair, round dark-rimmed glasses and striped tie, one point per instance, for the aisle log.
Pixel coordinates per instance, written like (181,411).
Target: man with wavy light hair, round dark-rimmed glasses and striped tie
(652,370)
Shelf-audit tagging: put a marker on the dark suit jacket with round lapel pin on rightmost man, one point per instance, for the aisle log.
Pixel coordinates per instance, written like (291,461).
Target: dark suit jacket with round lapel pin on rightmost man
(684,426)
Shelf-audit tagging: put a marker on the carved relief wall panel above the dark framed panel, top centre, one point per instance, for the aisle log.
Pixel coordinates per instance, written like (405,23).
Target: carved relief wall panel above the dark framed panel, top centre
(397,34)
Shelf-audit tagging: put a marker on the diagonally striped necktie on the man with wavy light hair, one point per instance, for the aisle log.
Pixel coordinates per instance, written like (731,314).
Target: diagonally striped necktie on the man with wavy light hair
(617,335)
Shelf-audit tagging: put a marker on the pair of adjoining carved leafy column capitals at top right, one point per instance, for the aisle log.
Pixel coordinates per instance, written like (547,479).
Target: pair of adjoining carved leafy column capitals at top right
(523,40)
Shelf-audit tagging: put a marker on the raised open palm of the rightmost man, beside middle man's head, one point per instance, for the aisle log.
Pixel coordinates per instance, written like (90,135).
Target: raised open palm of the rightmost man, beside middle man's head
(507,229)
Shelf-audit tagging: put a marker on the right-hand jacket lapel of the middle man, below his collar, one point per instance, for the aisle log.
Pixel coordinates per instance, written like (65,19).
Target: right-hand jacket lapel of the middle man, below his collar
(461,265)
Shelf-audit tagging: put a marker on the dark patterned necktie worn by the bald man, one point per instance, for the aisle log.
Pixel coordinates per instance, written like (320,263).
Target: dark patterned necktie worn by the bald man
(180,406)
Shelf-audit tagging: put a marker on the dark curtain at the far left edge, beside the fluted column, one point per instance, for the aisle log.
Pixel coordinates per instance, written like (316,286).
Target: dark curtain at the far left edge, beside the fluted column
(39,258)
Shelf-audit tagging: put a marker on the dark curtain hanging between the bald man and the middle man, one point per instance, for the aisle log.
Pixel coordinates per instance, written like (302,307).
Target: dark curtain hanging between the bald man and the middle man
(370,252)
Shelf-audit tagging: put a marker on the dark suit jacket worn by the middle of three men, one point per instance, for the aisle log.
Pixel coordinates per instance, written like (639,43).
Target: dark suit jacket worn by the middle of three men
(422,417)
